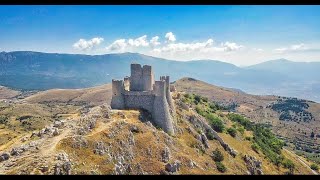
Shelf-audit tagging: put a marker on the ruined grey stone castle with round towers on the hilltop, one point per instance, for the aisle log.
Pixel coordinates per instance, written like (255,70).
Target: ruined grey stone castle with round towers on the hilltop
(141,91)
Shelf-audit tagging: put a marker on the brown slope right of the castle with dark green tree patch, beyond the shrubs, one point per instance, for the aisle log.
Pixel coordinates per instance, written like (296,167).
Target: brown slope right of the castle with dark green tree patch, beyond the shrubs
(292,119)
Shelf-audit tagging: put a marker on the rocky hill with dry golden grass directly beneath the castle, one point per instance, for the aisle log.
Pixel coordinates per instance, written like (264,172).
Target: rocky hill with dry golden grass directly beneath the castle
(99,140)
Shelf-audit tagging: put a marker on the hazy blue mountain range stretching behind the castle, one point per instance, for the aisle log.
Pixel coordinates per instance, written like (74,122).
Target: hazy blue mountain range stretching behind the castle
(25,70)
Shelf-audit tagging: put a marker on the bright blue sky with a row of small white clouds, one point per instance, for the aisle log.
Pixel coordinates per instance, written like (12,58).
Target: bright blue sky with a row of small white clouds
(242,35)
